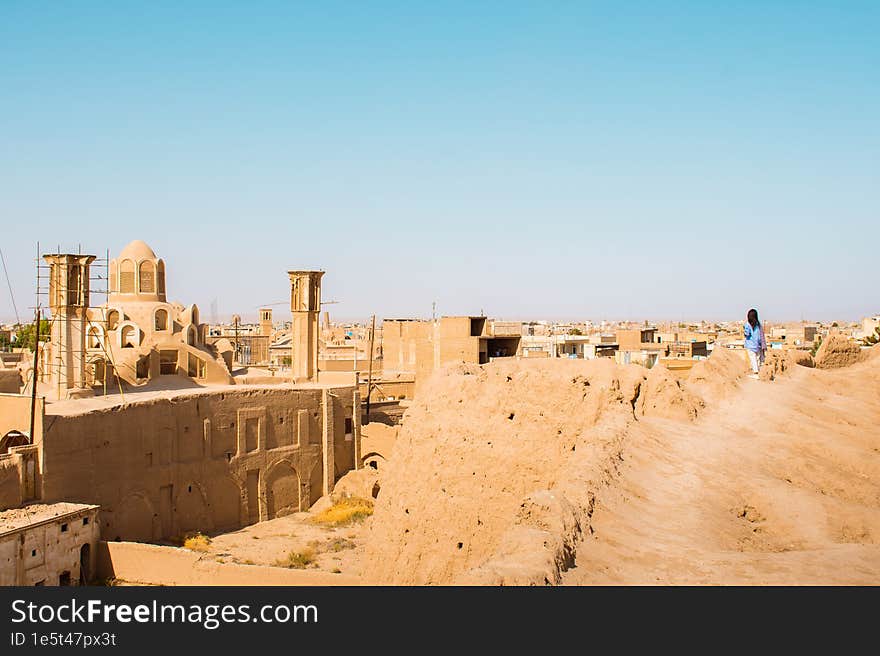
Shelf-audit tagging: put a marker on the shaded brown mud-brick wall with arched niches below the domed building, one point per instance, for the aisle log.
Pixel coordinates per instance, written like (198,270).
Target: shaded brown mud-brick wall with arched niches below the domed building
(206,461)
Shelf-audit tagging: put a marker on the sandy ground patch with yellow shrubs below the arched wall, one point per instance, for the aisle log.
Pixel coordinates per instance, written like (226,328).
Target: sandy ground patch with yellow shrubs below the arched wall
(337,550)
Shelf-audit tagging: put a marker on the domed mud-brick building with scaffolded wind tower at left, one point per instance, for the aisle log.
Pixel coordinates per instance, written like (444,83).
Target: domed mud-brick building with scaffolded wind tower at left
(136,336)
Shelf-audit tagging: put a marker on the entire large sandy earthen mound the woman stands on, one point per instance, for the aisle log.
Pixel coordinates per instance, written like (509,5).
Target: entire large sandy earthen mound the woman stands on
(566,471)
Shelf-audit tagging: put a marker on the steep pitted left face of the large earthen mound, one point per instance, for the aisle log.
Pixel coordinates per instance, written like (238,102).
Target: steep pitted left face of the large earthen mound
(495,471)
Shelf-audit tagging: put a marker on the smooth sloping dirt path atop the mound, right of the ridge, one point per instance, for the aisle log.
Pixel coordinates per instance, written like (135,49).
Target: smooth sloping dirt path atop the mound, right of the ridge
(778,484)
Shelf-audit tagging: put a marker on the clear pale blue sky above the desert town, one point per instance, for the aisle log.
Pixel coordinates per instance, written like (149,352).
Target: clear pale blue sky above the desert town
(566,159)
